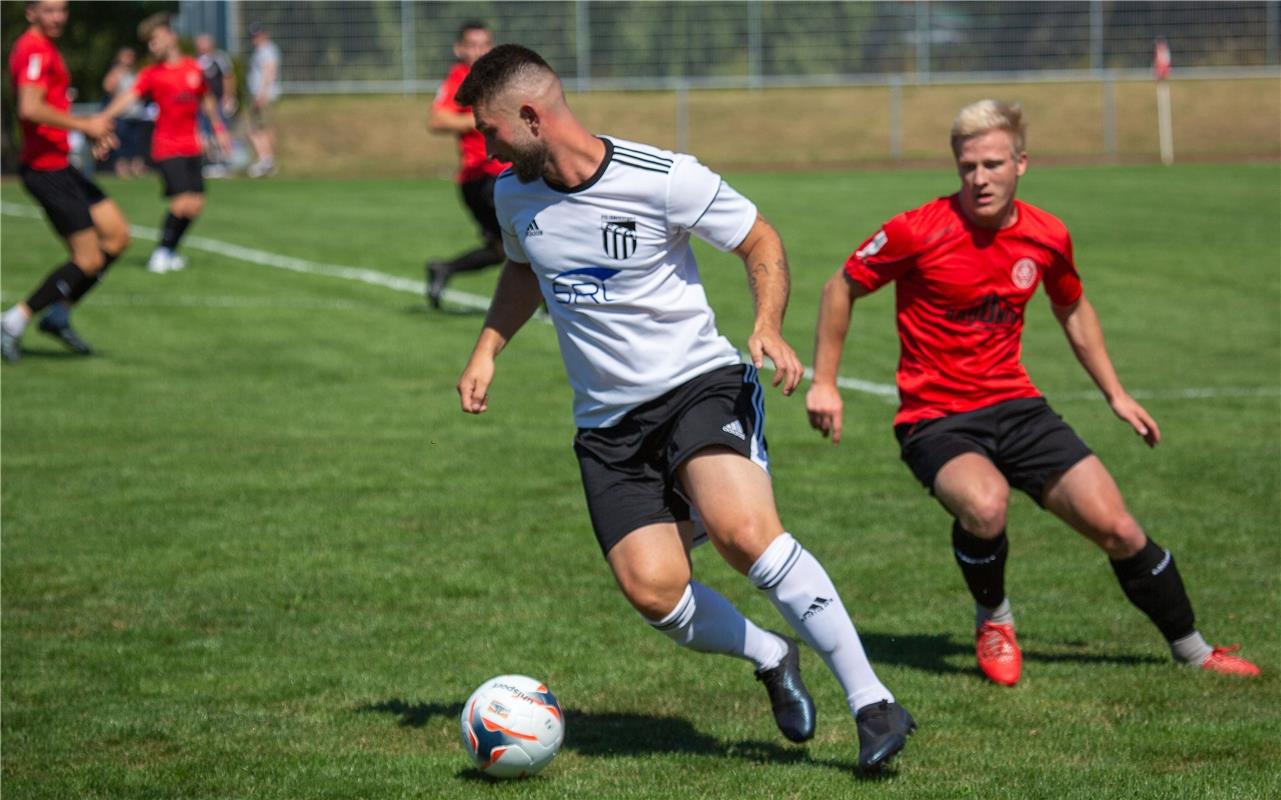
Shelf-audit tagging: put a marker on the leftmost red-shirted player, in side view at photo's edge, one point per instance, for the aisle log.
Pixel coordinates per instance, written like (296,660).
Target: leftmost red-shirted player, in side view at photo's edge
(92,225)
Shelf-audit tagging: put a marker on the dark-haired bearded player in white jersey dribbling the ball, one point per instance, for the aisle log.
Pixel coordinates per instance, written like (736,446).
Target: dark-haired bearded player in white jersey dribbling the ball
(671,422)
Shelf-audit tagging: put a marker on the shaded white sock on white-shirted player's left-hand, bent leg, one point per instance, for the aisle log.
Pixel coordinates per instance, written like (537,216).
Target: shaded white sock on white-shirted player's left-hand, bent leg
(708,623)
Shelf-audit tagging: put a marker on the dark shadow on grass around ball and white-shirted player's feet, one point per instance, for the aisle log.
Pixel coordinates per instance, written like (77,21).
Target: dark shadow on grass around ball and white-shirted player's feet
(610,734)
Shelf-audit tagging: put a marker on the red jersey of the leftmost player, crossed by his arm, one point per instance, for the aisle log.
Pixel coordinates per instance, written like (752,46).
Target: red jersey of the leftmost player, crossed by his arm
(37,62)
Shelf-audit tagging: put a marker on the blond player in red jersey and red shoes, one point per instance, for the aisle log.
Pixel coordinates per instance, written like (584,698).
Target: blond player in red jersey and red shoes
(972,424)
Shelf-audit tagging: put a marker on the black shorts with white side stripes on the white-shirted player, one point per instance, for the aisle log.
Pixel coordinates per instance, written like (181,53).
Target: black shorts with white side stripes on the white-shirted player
(630,470)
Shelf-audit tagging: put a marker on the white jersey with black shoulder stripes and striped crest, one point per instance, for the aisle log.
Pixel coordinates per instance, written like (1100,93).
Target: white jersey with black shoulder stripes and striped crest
(614,264)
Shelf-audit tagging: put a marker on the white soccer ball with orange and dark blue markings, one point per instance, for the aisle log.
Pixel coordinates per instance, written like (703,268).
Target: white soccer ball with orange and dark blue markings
(512,726)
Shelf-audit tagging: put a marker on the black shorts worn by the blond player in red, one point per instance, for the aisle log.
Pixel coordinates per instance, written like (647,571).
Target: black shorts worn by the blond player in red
(1024,438)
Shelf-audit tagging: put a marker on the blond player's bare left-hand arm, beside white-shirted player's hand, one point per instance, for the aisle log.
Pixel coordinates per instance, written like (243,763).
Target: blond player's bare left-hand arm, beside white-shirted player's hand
(824,403)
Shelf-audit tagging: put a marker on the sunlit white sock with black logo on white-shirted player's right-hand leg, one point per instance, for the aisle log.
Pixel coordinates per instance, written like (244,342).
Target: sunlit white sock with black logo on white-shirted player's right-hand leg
(805,596)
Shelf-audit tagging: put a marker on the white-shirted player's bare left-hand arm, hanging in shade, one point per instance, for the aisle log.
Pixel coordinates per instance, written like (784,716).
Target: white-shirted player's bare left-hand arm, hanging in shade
(514,301)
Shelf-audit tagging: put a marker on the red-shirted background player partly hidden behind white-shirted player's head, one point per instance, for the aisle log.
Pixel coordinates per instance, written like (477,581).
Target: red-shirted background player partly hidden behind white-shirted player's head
(477,171)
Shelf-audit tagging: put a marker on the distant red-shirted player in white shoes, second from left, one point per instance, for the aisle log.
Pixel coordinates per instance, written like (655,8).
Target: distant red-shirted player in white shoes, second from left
(177,85)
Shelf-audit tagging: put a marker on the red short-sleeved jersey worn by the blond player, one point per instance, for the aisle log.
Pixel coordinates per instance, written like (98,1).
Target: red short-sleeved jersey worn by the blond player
(960,301)
